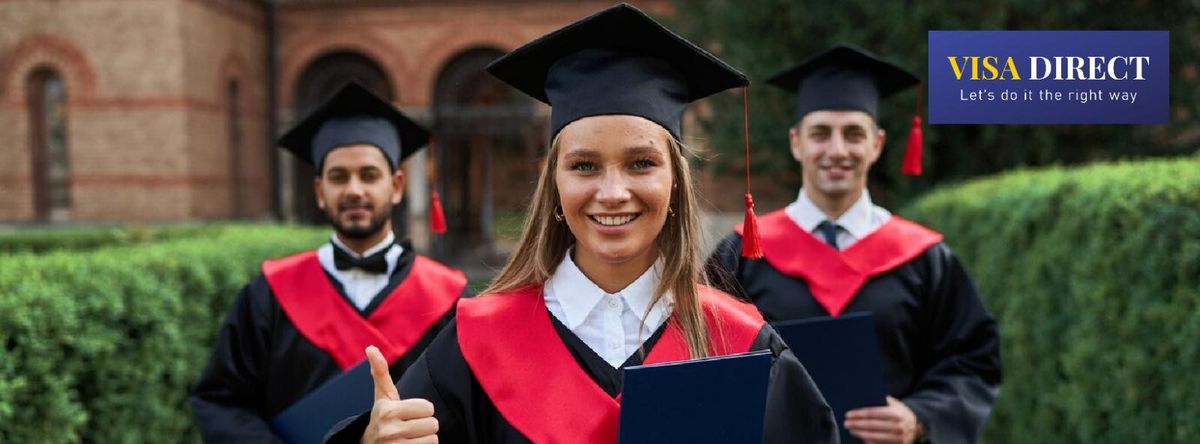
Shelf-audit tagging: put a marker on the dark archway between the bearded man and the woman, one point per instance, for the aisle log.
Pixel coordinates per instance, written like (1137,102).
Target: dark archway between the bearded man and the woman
(488,148)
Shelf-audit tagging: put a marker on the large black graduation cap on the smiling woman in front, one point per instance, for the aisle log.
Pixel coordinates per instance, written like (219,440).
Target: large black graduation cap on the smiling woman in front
(616,62)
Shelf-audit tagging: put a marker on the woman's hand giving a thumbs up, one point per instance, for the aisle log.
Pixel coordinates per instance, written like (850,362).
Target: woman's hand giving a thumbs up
(395,421)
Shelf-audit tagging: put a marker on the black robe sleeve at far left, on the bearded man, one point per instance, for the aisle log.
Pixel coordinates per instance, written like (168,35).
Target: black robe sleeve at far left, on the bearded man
(229,403)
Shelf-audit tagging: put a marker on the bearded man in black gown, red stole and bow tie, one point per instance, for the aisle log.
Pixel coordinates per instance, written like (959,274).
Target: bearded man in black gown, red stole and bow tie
(309,317)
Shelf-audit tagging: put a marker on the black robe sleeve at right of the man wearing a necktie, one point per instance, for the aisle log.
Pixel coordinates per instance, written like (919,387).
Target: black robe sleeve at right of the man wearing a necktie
(955,395)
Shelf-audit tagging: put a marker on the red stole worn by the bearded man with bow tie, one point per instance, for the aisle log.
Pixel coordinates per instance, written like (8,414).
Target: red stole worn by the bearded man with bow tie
(334,326)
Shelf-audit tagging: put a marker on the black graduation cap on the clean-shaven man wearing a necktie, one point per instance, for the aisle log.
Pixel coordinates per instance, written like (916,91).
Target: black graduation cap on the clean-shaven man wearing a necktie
(844,79)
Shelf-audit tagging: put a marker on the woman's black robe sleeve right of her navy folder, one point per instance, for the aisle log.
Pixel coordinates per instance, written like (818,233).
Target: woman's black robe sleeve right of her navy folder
(796,411)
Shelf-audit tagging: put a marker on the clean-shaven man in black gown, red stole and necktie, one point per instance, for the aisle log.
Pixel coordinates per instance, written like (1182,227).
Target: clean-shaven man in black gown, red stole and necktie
(835,253)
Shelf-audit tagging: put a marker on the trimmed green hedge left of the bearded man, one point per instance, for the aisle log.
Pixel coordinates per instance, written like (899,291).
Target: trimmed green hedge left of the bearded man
(101,346)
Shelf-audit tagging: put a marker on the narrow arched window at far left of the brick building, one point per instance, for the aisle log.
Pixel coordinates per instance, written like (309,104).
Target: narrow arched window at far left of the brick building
(49,141)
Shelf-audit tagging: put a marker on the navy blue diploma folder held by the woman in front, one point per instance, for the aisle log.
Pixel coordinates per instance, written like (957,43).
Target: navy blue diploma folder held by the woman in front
(715,400)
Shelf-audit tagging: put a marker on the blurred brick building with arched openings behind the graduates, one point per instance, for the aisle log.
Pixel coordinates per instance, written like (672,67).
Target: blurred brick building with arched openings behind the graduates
(165,111)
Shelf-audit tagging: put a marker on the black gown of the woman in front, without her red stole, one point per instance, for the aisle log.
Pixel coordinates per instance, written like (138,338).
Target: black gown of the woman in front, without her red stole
(796,412)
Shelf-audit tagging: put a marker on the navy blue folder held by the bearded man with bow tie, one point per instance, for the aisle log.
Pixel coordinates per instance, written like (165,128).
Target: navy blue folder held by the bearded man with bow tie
(309,419)
